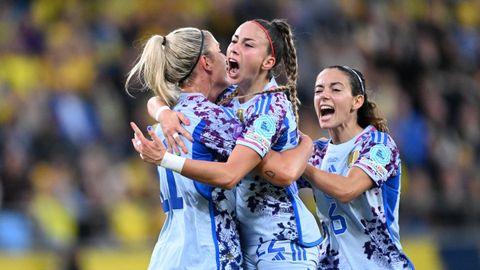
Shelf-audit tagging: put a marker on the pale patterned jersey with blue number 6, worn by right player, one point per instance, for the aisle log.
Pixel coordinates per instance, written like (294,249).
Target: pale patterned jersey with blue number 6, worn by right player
(364,233)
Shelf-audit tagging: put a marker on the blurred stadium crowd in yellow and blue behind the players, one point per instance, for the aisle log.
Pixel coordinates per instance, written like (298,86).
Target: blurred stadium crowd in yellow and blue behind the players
(69,176)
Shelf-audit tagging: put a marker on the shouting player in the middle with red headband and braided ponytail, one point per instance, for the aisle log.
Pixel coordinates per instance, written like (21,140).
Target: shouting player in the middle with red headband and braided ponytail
(276,229)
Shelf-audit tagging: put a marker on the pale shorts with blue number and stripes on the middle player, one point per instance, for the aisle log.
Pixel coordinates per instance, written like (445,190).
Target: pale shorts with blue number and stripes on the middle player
(284,254)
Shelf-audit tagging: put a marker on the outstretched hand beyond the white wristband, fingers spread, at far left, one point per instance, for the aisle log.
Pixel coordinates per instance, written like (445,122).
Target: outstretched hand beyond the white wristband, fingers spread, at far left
(151,151)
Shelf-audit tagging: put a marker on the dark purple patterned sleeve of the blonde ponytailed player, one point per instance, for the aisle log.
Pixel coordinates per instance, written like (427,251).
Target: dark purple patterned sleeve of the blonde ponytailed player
(217,129)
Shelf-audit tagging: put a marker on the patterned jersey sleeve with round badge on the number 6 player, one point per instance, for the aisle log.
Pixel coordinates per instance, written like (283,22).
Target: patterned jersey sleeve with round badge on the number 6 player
(378,157)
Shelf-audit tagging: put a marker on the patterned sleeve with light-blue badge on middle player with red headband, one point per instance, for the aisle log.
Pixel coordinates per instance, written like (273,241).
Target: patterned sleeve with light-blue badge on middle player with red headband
(265,125)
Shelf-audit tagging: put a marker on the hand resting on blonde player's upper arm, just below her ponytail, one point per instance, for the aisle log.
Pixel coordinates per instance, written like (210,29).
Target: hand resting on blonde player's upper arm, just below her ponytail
(171,121)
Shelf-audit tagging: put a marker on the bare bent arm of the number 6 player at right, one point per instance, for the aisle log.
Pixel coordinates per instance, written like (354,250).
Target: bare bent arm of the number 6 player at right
(342,188)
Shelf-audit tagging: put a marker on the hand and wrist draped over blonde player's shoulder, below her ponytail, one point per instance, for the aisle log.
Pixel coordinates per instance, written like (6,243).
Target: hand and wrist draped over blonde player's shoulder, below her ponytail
(170,121)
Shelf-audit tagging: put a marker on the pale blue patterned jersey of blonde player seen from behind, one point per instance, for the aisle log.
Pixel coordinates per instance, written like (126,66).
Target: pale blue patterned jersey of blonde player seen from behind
(200,230)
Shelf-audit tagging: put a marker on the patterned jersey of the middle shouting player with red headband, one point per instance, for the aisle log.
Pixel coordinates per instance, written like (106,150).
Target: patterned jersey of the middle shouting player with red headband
(266,212)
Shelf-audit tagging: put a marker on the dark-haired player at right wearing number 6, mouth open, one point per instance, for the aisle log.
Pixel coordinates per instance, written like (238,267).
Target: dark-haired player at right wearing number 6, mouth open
(356,176)
